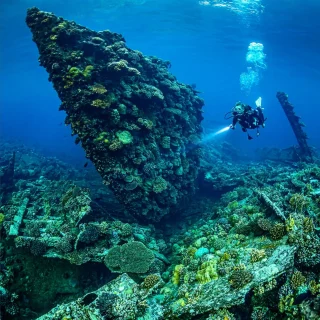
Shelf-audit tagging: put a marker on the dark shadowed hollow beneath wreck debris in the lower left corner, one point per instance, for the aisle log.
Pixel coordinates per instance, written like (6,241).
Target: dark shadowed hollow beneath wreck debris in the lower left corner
(40,284)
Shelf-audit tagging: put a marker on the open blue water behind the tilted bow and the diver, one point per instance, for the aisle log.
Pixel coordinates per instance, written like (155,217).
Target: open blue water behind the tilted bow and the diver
(206,45)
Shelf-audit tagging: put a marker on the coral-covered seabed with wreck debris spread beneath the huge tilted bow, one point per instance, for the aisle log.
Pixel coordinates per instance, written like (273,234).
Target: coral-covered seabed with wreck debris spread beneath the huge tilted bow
(254,249)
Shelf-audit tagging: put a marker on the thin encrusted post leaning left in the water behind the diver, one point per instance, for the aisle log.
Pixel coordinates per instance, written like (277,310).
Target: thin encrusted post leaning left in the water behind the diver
(305,152)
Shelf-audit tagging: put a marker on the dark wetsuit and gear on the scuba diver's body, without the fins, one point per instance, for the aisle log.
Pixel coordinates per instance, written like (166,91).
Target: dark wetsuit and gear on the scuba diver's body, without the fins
(249,118)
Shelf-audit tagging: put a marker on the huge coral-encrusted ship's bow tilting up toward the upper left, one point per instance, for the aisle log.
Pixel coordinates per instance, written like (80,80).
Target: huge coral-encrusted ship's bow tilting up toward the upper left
(136,122)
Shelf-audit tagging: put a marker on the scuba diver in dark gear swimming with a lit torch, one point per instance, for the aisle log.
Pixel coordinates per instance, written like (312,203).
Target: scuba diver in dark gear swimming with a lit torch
(247,117)
